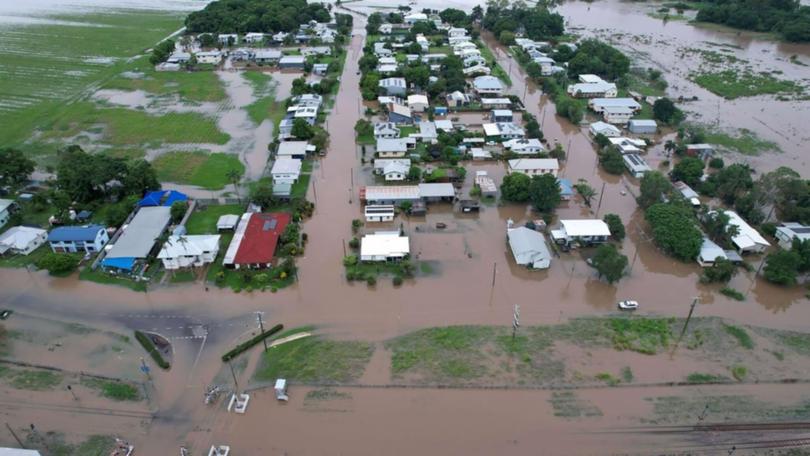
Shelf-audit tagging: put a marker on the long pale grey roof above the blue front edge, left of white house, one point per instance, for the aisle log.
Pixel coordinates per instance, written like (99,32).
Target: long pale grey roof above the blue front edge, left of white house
(142,232)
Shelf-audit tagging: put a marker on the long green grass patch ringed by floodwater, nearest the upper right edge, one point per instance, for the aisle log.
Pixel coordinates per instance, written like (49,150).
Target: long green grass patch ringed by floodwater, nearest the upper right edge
(735,83)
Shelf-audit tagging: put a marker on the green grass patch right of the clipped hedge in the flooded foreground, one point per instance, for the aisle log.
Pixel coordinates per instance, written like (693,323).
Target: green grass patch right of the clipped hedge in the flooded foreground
(315,359)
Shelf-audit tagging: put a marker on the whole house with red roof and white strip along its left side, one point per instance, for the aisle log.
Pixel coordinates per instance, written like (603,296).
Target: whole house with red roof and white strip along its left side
(254,241)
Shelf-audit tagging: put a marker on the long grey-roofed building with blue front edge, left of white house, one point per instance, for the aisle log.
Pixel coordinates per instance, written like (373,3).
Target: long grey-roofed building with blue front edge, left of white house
(138,238)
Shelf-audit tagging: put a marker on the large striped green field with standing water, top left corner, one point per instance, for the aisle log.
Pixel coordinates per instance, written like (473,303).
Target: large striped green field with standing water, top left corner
(48,64)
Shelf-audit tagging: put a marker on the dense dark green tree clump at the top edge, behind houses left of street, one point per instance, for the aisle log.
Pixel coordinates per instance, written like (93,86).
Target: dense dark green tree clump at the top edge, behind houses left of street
(243,16)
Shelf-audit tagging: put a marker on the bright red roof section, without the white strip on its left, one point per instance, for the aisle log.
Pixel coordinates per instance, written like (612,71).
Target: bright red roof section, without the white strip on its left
(261,236)
